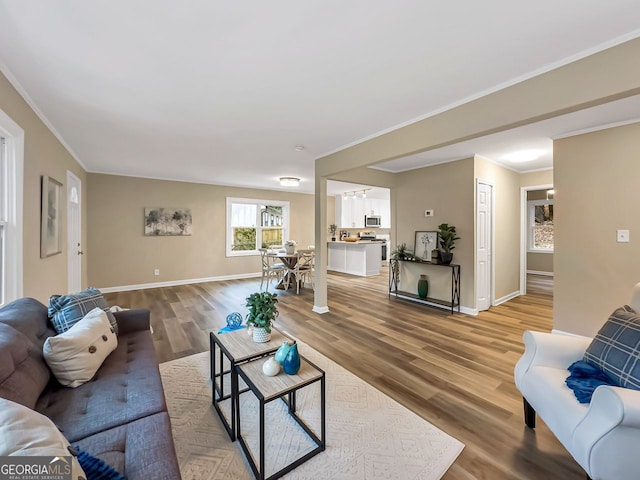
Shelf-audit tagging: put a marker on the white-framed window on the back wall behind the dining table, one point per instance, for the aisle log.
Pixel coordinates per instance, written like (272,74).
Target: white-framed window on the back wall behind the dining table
(253,224)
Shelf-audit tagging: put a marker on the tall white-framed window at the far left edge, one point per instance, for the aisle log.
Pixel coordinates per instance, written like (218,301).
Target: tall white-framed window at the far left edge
(11,168)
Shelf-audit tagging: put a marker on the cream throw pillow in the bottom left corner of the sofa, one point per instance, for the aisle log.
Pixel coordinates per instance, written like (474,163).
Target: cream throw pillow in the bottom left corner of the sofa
(24,432)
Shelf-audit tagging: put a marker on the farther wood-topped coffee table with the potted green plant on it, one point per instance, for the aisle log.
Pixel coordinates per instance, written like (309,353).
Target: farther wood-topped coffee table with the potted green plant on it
(237,347)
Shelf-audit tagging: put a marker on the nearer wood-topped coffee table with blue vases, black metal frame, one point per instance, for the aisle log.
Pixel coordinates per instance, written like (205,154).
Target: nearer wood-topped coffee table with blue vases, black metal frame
(267,389)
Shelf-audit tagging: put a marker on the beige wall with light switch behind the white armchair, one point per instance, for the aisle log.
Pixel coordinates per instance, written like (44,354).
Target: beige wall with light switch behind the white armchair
(596,192)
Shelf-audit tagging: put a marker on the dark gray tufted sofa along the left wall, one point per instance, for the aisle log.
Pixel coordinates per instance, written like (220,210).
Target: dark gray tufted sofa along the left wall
(120,416)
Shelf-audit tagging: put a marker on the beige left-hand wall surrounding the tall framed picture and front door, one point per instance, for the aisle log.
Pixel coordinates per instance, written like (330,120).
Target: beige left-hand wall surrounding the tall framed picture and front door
(43,155)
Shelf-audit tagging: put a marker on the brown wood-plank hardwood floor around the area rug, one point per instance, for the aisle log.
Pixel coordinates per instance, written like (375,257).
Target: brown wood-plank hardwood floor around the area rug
(456,371)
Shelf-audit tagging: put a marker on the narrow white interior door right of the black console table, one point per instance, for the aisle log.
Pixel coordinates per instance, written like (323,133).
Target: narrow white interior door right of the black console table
(484,225)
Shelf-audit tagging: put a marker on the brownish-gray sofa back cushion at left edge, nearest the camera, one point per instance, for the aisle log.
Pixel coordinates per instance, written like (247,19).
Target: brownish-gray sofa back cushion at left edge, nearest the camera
(23,372)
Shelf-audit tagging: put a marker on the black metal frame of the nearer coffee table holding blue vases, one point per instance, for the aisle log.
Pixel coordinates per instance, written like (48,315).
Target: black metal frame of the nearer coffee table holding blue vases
(291,404)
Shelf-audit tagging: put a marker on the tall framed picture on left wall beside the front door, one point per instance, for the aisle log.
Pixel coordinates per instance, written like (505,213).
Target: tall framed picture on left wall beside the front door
(50,241)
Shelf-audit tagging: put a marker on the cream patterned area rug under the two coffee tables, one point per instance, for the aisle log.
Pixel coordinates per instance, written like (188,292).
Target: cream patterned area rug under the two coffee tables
(368,435)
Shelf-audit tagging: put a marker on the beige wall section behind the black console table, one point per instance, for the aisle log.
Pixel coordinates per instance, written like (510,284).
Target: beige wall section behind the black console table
(448,190)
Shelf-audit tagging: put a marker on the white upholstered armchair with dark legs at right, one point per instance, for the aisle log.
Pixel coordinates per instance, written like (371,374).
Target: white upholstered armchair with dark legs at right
(602,436)
